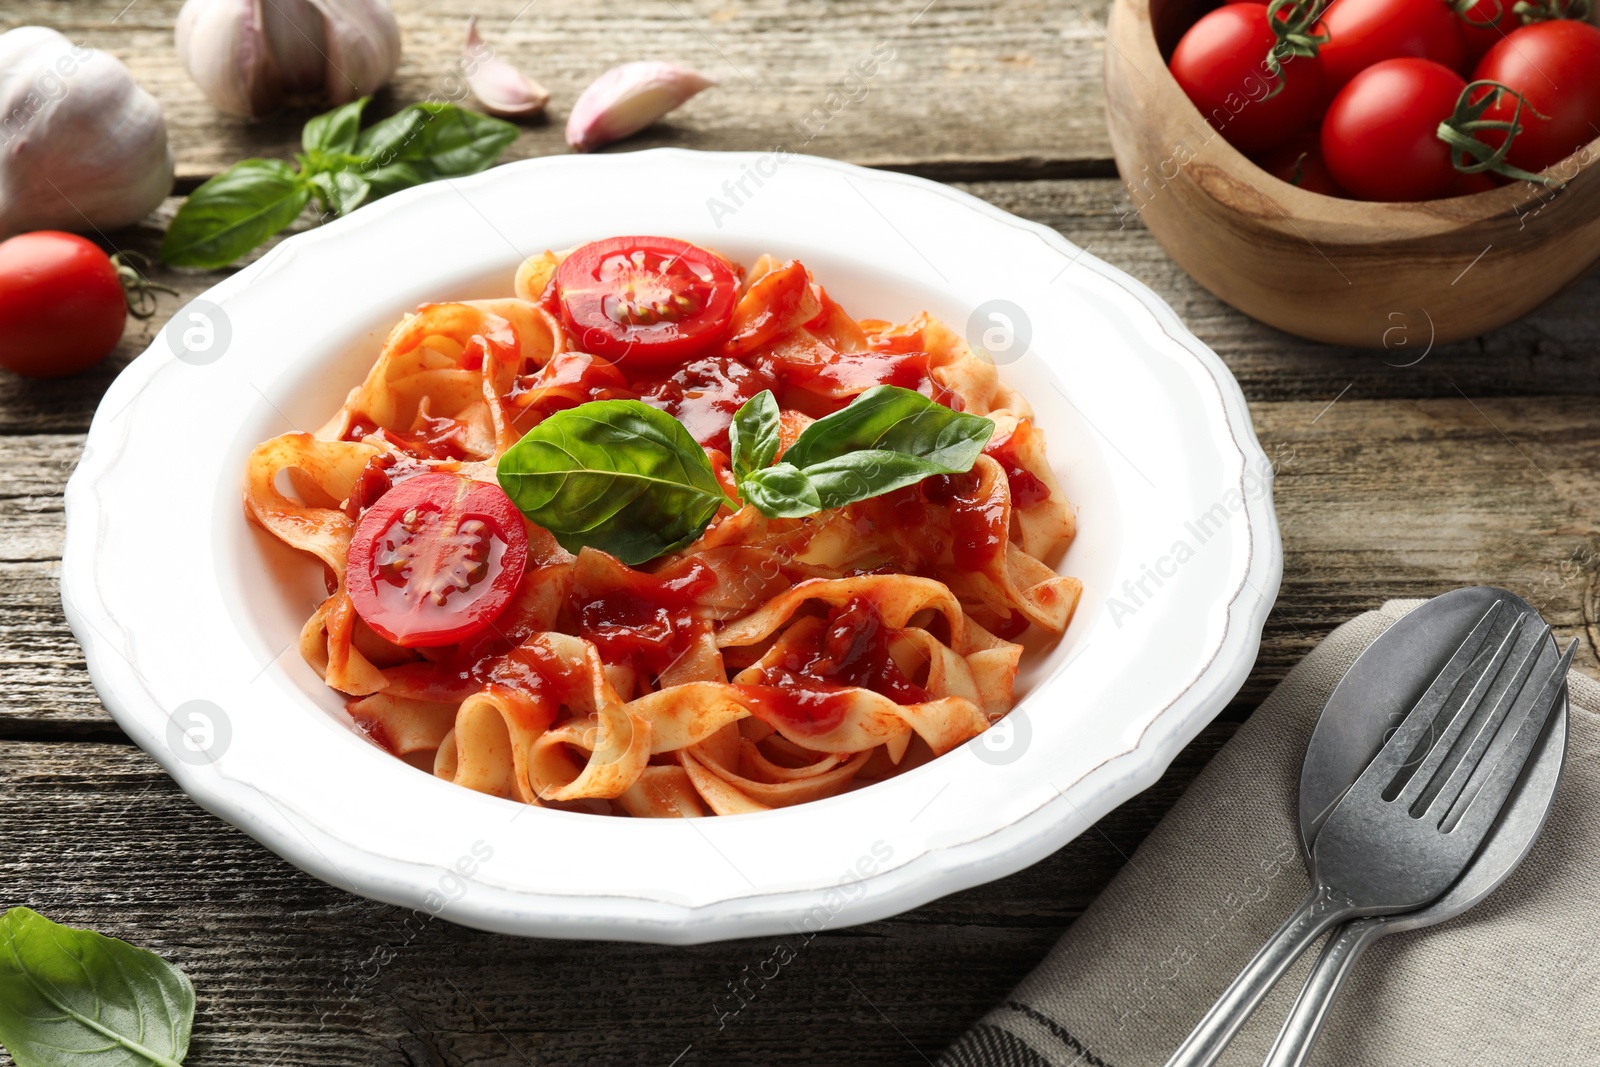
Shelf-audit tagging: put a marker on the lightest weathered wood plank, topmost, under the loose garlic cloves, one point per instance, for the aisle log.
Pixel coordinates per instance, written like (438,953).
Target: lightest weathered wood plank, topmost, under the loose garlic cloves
(967,86)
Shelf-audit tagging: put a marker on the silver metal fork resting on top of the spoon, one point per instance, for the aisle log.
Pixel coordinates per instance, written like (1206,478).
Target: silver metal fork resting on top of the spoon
(1396,842)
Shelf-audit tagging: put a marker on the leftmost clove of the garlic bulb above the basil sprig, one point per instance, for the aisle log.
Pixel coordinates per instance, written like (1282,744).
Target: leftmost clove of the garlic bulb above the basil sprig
(223,44)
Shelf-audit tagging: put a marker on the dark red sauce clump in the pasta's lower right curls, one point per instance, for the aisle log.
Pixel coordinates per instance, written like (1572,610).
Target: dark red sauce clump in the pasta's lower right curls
(806,690)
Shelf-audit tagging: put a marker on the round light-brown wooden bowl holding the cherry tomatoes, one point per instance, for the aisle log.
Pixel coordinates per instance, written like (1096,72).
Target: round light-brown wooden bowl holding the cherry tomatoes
(1322,268)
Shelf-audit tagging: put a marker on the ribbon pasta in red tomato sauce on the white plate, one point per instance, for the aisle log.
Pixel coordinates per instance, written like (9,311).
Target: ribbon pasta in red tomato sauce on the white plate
(767,663)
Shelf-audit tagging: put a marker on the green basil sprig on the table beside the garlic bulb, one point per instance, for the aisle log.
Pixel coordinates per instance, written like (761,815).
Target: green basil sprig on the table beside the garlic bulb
(342,169)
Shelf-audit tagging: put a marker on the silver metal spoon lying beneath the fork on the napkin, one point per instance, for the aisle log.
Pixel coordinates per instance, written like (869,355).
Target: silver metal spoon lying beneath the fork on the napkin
(1361,713)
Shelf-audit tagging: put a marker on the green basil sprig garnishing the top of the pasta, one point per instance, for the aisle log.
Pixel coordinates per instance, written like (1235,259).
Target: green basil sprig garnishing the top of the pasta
(628,479)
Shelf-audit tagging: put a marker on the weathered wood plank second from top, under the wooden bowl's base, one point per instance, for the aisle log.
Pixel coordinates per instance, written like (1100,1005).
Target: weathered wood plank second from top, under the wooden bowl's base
(1548,353)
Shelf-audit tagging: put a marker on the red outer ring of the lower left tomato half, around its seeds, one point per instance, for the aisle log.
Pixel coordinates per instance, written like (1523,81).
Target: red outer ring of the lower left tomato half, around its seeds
(436,492)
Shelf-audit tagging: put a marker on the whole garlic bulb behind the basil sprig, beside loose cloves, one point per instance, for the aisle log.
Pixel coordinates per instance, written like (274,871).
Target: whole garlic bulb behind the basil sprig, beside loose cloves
(249,57)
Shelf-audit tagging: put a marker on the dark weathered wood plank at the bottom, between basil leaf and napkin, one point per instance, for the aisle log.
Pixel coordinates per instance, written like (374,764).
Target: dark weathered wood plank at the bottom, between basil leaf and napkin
(297,973)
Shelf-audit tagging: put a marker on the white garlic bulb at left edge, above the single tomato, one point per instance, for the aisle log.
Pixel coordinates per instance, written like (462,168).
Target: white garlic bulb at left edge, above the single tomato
(82,146)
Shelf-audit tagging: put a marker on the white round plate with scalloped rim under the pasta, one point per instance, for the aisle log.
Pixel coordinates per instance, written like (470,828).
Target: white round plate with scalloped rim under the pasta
(188,613)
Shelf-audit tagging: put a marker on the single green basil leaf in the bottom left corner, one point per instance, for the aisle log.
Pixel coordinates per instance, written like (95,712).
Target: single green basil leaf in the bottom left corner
(76,999)
